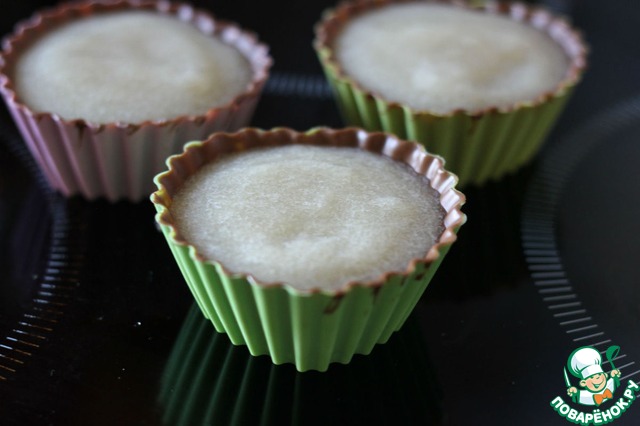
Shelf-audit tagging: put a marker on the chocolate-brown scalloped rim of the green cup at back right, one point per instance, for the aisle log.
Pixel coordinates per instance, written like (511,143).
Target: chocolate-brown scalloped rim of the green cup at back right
(569,38)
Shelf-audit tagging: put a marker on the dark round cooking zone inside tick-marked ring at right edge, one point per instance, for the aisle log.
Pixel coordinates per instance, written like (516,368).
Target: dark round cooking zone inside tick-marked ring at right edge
(598,222)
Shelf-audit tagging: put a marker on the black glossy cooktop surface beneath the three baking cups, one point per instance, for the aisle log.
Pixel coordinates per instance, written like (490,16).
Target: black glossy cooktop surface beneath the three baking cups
(98,328)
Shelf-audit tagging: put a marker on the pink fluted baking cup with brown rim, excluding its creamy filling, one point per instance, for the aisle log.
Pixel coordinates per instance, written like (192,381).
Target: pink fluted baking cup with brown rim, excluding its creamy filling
(118,160)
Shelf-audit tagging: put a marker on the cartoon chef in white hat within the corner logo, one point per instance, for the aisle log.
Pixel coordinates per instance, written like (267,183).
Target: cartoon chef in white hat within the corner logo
(586,364)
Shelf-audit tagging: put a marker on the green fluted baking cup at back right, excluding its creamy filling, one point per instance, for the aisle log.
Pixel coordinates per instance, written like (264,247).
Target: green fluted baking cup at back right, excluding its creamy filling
(478,146)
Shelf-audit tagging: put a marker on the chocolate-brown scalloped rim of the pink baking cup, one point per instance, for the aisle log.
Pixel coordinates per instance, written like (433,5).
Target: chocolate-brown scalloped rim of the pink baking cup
(28,31)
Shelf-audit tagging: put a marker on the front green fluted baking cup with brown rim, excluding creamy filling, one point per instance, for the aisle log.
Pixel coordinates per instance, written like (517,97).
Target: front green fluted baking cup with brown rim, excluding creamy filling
(308,328)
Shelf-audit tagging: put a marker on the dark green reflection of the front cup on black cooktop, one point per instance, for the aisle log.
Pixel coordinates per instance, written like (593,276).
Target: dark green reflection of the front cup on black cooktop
(207,380)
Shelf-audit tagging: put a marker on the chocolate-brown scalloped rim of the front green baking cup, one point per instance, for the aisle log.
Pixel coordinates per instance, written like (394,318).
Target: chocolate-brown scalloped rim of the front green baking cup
(196,154)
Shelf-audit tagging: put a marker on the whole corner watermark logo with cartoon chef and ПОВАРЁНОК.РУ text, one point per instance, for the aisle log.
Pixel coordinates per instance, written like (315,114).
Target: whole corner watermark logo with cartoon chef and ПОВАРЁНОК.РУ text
(594,388)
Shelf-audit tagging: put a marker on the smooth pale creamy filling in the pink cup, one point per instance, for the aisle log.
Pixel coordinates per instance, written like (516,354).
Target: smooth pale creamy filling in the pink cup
(129,66)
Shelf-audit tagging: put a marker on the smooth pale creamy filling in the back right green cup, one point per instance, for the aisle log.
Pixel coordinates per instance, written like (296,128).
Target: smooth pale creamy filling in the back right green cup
(440,58)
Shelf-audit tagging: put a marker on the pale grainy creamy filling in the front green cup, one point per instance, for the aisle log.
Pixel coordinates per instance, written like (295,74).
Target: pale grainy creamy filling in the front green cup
(312,217)
